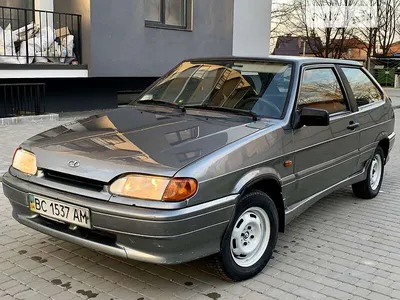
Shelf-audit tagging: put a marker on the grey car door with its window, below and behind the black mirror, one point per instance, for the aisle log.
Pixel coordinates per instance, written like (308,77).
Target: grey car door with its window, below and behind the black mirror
(327,155)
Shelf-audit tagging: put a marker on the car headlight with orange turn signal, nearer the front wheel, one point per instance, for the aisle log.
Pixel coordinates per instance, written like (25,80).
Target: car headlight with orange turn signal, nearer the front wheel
(154,188)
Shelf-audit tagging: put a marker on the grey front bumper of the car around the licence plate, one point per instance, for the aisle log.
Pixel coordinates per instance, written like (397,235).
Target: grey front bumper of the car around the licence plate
(149,235)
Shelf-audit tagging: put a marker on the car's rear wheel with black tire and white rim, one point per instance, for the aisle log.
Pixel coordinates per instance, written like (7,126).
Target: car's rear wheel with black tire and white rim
(370,187)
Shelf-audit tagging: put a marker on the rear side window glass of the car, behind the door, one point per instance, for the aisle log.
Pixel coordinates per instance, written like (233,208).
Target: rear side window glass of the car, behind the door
(365,92)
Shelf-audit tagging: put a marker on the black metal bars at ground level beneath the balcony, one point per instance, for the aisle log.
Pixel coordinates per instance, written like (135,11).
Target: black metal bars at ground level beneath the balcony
(22,99)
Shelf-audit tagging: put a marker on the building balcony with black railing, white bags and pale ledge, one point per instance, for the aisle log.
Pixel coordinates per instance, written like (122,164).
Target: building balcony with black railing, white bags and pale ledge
(40,44)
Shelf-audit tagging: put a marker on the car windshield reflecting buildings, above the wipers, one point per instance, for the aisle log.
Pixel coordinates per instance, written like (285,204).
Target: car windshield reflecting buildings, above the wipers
(257,87)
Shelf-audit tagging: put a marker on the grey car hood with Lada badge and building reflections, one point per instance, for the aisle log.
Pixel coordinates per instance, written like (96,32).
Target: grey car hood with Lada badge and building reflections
(135,140)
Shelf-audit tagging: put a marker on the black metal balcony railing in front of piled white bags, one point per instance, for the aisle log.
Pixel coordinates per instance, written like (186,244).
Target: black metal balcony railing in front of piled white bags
(39,37)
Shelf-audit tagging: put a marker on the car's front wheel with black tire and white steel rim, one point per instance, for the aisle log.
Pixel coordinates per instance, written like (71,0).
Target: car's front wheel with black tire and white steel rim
(255,226)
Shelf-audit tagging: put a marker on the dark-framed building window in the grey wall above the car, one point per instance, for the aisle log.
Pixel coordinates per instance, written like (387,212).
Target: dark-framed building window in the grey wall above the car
(169,14)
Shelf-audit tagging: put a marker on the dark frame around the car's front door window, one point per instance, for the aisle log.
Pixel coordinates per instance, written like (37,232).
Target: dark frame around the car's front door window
(350,108)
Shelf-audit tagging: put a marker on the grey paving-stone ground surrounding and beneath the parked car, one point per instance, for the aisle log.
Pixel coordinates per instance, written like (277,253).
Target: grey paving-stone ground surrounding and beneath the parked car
(341,248)
